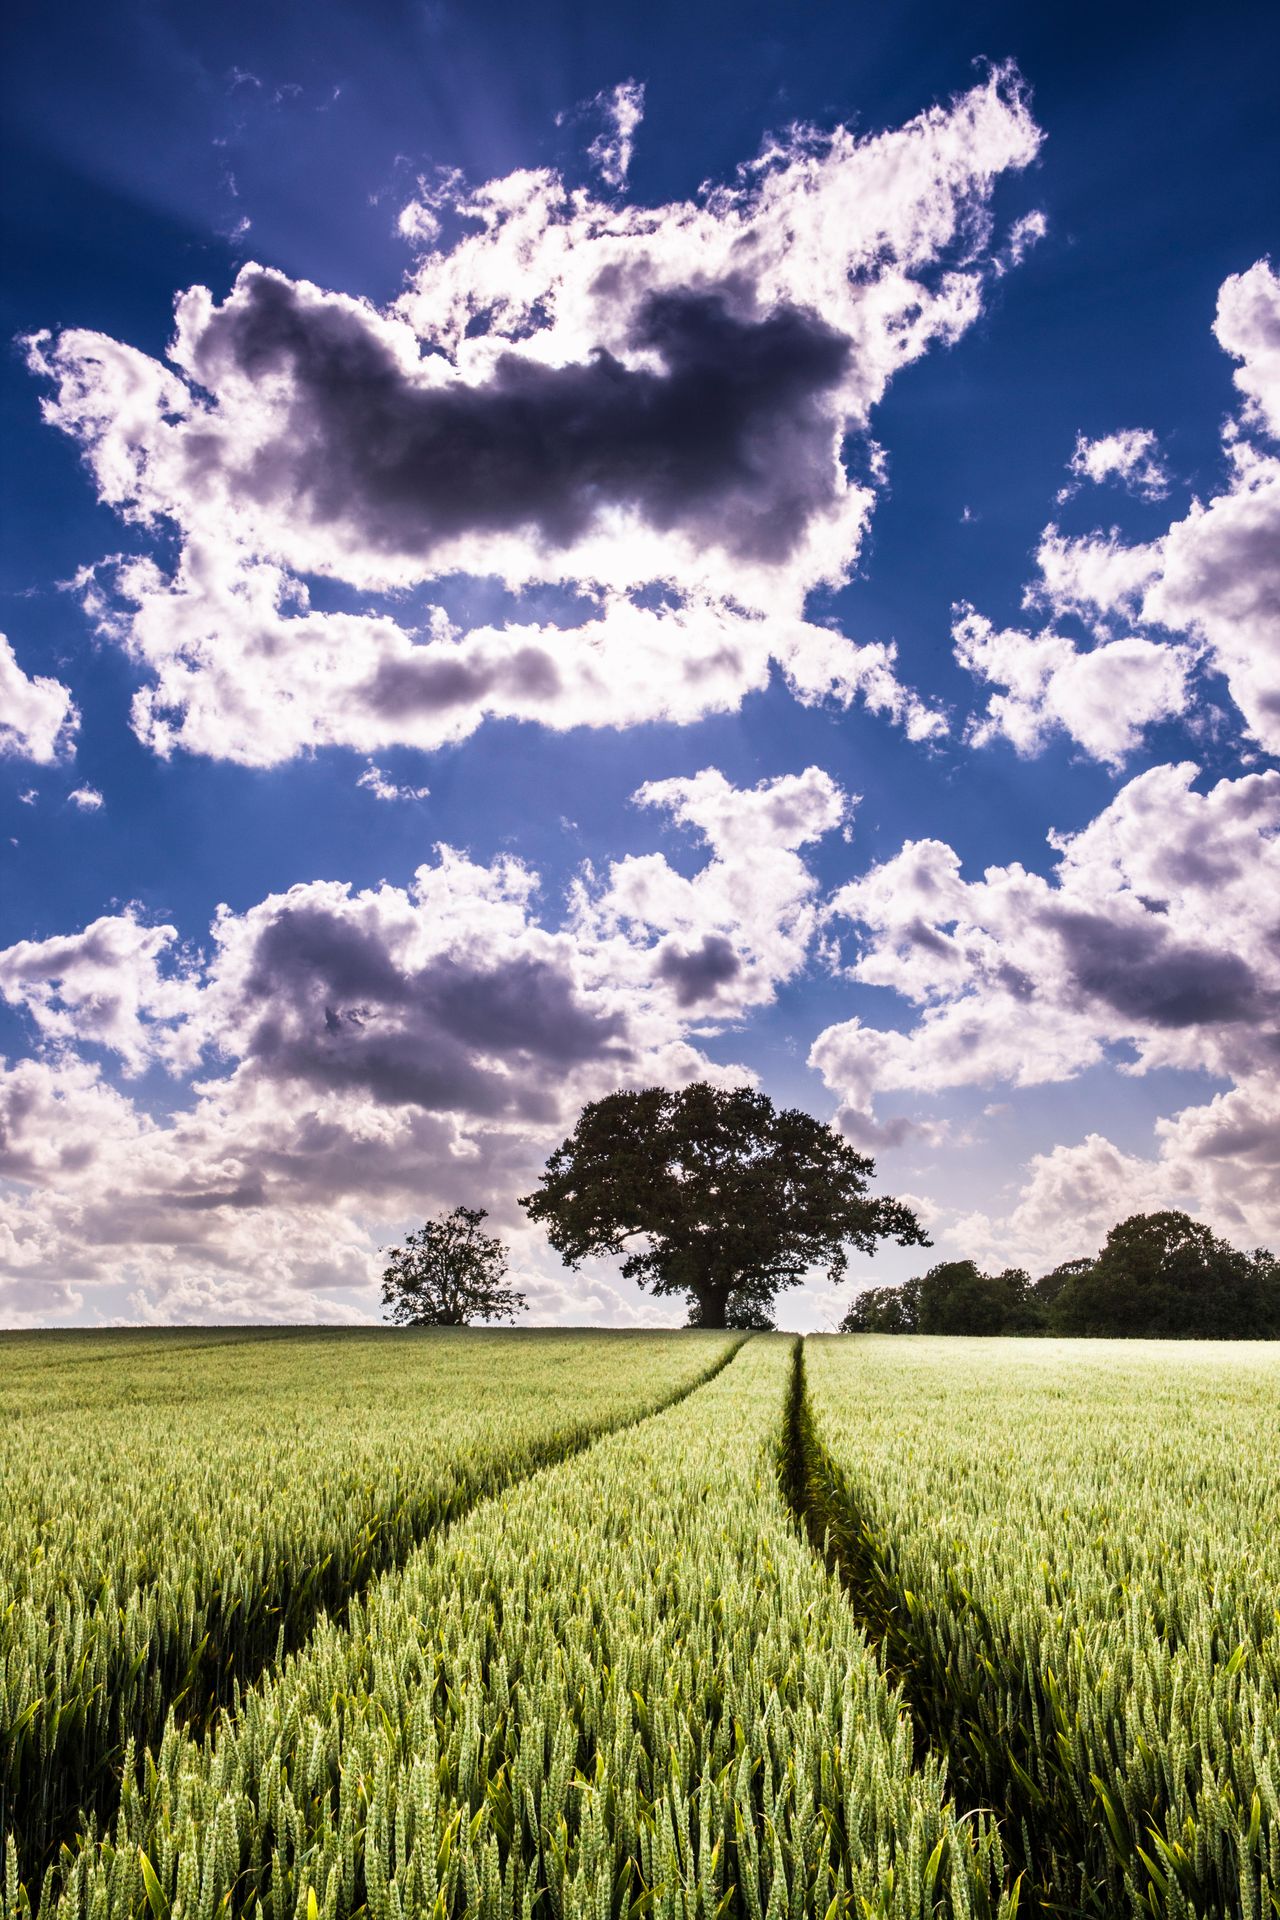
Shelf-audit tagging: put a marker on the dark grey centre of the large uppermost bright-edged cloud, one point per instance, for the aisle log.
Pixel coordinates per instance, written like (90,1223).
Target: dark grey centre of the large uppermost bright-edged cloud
(732,439)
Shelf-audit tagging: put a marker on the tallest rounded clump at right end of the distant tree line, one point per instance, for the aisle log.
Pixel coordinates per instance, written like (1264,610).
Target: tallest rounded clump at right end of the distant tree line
(1166,1274)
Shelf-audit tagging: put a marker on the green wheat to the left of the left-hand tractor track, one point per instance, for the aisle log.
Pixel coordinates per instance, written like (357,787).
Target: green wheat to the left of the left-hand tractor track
(181,1508)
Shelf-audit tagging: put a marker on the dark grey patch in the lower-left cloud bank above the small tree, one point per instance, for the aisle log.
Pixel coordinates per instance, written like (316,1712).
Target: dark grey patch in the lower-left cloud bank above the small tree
(339,1013)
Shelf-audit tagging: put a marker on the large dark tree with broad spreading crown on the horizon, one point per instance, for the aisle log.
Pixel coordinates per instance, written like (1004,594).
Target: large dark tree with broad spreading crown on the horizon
(717,1195)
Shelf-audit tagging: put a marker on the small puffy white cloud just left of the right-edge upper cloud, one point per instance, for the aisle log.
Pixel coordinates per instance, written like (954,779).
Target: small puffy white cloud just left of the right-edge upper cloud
(1102,698)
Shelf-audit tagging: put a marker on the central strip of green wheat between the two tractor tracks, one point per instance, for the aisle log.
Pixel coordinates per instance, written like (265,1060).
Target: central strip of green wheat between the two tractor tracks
(625,1689)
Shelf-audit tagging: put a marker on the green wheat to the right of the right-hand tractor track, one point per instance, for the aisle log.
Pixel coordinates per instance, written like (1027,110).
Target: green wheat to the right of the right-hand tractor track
(1072,1554)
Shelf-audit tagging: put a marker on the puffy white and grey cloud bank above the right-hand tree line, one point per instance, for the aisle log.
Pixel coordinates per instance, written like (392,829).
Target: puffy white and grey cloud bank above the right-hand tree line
(1118,959)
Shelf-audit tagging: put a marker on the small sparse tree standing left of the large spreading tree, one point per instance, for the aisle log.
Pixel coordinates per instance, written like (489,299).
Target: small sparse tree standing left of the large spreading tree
(450,1274)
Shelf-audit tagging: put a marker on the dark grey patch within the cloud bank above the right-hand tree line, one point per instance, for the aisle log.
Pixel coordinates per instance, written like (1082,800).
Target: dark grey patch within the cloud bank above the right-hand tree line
(1147,976)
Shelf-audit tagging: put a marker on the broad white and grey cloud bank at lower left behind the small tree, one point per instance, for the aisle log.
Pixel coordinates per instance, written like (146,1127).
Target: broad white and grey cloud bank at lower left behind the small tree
(348,1059)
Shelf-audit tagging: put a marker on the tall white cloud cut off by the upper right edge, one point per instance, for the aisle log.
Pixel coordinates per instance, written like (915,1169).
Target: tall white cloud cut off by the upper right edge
(1216,575)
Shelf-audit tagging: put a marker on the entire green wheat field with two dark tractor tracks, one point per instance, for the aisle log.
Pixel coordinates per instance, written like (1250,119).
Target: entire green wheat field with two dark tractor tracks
(321,1627)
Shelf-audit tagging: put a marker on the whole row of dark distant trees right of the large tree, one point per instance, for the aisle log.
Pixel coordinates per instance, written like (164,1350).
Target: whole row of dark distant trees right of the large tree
(1160,1276)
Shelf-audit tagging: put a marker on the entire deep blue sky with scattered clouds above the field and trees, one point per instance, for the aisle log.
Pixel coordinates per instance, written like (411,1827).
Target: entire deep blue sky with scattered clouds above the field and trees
(552,550)
